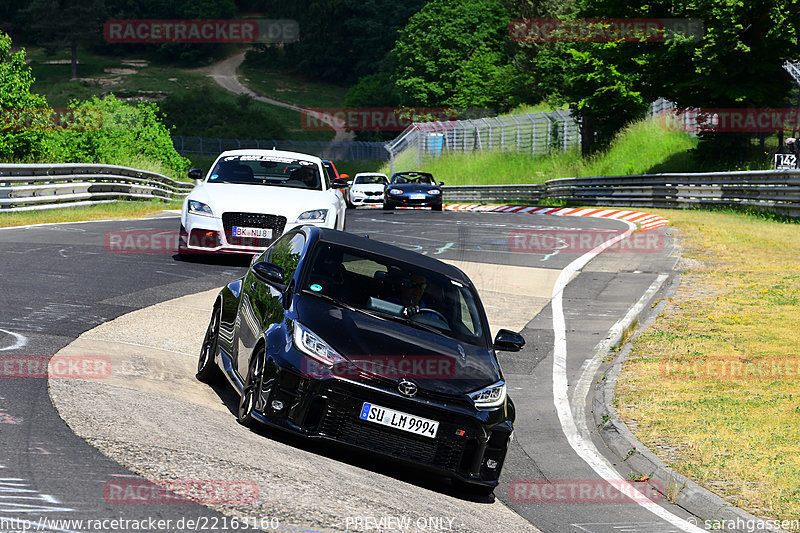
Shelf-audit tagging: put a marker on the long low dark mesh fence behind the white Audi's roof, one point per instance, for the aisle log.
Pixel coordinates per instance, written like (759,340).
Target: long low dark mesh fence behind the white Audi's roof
(345,150)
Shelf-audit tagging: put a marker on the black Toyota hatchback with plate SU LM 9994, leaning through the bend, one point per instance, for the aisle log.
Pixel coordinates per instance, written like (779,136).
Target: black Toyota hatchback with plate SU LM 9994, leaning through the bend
(340,337)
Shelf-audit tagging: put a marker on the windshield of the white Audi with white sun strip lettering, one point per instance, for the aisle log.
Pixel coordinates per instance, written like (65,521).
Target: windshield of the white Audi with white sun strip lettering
(266,170)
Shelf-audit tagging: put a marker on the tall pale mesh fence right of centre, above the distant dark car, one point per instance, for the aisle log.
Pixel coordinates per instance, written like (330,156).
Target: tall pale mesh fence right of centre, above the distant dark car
(532,133)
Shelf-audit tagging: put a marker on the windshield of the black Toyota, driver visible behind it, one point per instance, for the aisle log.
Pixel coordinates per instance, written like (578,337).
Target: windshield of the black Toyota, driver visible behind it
(396,290)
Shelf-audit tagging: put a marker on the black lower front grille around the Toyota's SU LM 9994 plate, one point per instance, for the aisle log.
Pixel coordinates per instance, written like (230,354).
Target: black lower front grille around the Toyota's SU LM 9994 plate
(341,422)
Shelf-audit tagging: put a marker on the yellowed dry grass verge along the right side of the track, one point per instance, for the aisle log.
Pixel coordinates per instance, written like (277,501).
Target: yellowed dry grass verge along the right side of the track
(712,386)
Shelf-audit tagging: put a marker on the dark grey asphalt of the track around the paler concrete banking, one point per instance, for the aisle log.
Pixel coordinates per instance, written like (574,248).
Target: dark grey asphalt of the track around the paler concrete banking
(60,281)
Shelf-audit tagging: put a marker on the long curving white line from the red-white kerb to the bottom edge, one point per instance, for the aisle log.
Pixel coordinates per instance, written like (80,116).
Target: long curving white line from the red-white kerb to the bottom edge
(585,448)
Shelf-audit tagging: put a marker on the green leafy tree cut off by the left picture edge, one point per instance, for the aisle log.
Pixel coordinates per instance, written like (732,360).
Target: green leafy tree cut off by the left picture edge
(15,82)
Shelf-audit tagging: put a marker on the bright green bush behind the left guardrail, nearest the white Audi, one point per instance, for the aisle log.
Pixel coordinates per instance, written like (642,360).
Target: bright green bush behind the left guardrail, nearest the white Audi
(125,134)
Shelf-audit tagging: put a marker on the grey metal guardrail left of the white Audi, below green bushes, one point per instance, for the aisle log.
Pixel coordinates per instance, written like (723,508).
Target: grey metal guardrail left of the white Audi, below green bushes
(34,187)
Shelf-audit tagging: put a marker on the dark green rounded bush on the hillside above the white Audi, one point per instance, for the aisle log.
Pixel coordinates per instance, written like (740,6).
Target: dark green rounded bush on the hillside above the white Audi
(203,113)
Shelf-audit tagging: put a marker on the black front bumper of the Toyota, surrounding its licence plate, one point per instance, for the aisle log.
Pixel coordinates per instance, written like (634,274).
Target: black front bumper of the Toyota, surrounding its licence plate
(470,445)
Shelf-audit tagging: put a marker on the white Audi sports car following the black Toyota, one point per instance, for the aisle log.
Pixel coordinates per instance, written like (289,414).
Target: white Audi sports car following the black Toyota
(251,197)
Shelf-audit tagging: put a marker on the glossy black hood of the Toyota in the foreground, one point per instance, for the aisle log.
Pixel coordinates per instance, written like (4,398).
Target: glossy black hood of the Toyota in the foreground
(392,350)
